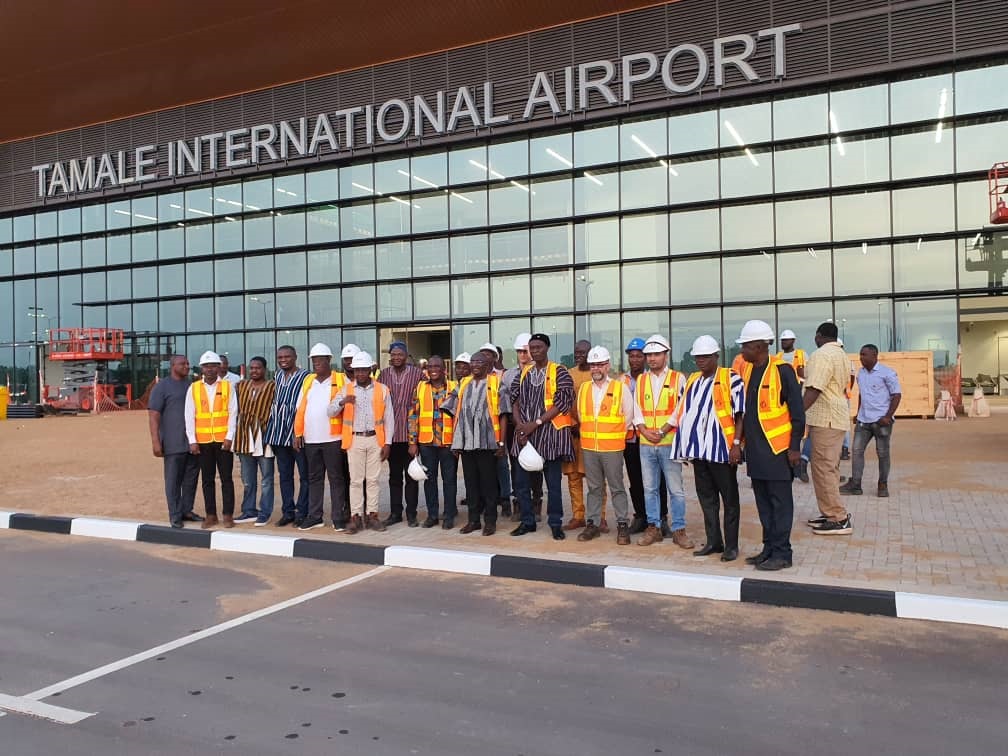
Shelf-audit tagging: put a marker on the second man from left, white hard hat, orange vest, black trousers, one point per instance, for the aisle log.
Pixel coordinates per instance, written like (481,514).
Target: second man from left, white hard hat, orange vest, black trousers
(211,417)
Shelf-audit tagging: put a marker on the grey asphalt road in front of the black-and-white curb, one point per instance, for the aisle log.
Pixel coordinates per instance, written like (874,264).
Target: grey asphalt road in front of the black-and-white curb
(410,663)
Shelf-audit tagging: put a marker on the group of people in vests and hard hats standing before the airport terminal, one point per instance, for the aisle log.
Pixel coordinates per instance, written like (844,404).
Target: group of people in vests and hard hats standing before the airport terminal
(518,431)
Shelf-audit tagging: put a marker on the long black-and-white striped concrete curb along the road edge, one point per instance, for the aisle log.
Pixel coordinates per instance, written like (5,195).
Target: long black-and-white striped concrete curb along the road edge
(667,582)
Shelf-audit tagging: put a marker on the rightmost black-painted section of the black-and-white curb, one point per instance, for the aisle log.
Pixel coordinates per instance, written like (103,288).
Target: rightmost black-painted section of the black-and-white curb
(807,596)
